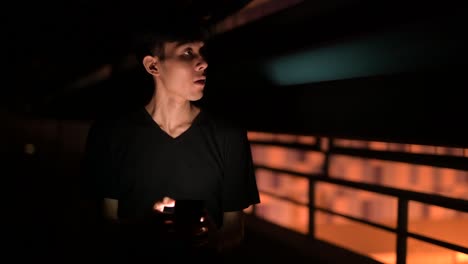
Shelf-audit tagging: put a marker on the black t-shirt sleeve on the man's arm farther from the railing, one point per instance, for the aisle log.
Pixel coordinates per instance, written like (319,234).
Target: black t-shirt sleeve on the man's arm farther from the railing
(97,178)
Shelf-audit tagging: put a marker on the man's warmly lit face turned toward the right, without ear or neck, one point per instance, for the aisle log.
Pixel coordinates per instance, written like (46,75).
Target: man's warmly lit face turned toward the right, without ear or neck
(182,72)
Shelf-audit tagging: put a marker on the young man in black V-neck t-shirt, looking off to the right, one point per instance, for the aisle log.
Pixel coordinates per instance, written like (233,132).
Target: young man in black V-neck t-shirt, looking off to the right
(138,163)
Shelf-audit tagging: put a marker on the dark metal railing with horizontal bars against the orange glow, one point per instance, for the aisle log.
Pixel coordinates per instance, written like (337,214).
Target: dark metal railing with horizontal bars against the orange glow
(403,196)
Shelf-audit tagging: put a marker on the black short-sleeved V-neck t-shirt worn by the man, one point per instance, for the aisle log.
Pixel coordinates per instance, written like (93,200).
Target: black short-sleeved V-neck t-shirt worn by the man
(131,159)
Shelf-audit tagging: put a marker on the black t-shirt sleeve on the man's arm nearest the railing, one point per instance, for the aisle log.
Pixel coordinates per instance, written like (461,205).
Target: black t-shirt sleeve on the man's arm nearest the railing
(239,184)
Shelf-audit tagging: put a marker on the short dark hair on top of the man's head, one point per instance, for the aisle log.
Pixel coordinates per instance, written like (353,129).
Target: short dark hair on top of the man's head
(150,39)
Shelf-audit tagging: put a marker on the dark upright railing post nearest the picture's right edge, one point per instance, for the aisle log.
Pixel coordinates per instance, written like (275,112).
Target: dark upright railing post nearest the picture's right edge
(402,229)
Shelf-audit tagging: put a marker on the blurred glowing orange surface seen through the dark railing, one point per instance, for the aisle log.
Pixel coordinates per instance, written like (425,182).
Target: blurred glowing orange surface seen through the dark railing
(432,221)
